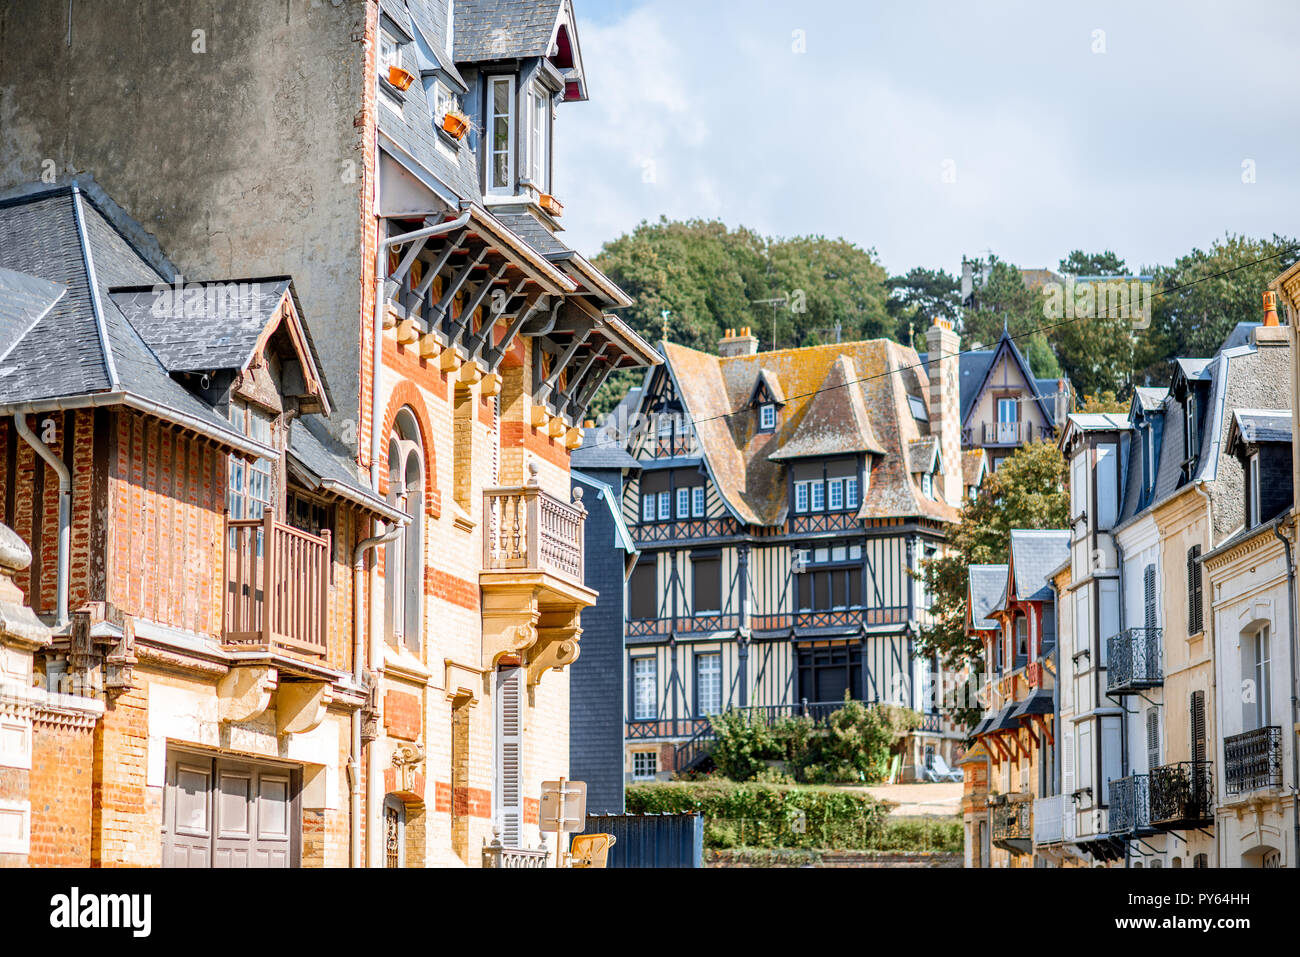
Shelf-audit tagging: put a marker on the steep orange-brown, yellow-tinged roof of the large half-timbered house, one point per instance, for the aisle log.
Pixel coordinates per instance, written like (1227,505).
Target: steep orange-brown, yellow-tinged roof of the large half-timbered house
(840,399)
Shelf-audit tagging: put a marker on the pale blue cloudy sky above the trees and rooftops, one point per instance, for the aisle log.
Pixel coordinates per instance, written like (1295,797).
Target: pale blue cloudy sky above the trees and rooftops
(931,131)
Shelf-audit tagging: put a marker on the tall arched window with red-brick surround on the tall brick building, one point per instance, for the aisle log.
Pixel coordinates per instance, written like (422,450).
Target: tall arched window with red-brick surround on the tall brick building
(404,558)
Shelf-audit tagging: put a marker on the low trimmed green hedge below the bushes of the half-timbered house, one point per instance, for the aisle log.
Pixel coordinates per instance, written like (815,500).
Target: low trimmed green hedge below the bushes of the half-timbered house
(769,816)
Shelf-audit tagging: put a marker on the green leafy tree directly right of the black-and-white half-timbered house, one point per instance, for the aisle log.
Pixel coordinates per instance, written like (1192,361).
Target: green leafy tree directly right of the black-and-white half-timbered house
(1028,491)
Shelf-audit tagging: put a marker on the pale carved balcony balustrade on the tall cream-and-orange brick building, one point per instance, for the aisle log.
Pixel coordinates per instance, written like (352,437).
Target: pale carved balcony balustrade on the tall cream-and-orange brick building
(528,529)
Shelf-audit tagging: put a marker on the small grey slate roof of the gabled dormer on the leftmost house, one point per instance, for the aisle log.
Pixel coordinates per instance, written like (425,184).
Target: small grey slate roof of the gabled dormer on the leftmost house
(200,335)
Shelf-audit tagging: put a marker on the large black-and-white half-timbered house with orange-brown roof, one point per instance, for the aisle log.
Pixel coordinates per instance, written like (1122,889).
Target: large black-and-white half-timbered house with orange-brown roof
(781,504)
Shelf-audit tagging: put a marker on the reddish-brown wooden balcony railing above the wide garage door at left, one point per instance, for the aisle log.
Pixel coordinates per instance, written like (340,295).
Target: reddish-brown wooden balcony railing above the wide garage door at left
(278,586)
